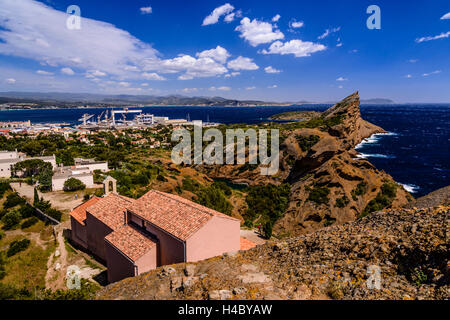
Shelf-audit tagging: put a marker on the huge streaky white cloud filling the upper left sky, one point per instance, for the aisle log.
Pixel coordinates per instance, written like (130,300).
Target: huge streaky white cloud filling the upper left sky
(97,45)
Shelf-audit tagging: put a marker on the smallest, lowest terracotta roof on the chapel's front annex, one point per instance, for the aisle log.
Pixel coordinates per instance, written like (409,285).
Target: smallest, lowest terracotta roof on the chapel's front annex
(130,242)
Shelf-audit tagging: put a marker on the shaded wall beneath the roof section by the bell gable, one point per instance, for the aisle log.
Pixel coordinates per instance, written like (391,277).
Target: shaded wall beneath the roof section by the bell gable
(96,233)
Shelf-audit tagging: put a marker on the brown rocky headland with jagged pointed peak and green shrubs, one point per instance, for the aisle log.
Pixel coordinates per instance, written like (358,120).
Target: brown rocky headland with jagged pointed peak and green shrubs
(328,182)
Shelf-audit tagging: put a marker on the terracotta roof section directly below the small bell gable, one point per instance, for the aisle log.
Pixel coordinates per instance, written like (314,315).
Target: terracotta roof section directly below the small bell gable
(110,210)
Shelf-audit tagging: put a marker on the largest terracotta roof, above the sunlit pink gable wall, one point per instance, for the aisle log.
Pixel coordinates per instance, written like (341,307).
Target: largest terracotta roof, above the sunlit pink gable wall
(176,215)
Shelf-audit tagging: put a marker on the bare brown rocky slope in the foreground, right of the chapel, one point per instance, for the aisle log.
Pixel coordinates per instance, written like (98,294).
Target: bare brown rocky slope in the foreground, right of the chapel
(396,254)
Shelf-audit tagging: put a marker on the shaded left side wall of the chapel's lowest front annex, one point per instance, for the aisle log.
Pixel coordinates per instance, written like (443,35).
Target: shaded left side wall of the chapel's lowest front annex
(119,267)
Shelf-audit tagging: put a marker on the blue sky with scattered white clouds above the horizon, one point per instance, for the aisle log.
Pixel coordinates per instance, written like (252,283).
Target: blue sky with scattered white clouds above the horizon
(277,50)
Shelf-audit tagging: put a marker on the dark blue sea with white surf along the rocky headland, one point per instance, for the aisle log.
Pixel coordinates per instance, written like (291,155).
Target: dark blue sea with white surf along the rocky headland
(415,151)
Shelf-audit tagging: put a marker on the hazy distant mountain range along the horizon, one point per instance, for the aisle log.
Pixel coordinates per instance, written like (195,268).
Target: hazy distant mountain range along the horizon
(60,99)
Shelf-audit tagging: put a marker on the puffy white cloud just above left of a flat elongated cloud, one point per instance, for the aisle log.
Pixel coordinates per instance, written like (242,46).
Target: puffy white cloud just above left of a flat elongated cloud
(258,32)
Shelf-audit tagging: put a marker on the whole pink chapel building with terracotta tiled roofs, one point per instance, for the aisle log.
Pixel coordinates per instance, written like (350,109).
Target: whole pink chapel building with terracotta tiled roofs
(133,236)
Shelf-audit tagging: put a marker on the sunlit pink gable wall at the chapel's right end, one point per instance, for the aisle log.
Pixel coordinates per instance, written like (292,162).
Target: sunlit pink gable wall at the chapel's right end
(216,237)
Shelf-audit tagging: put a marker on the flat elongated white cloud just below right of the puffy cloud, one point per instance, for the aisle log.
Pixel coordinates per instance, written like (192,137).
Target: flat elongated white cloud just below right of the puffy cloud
(298,48)
